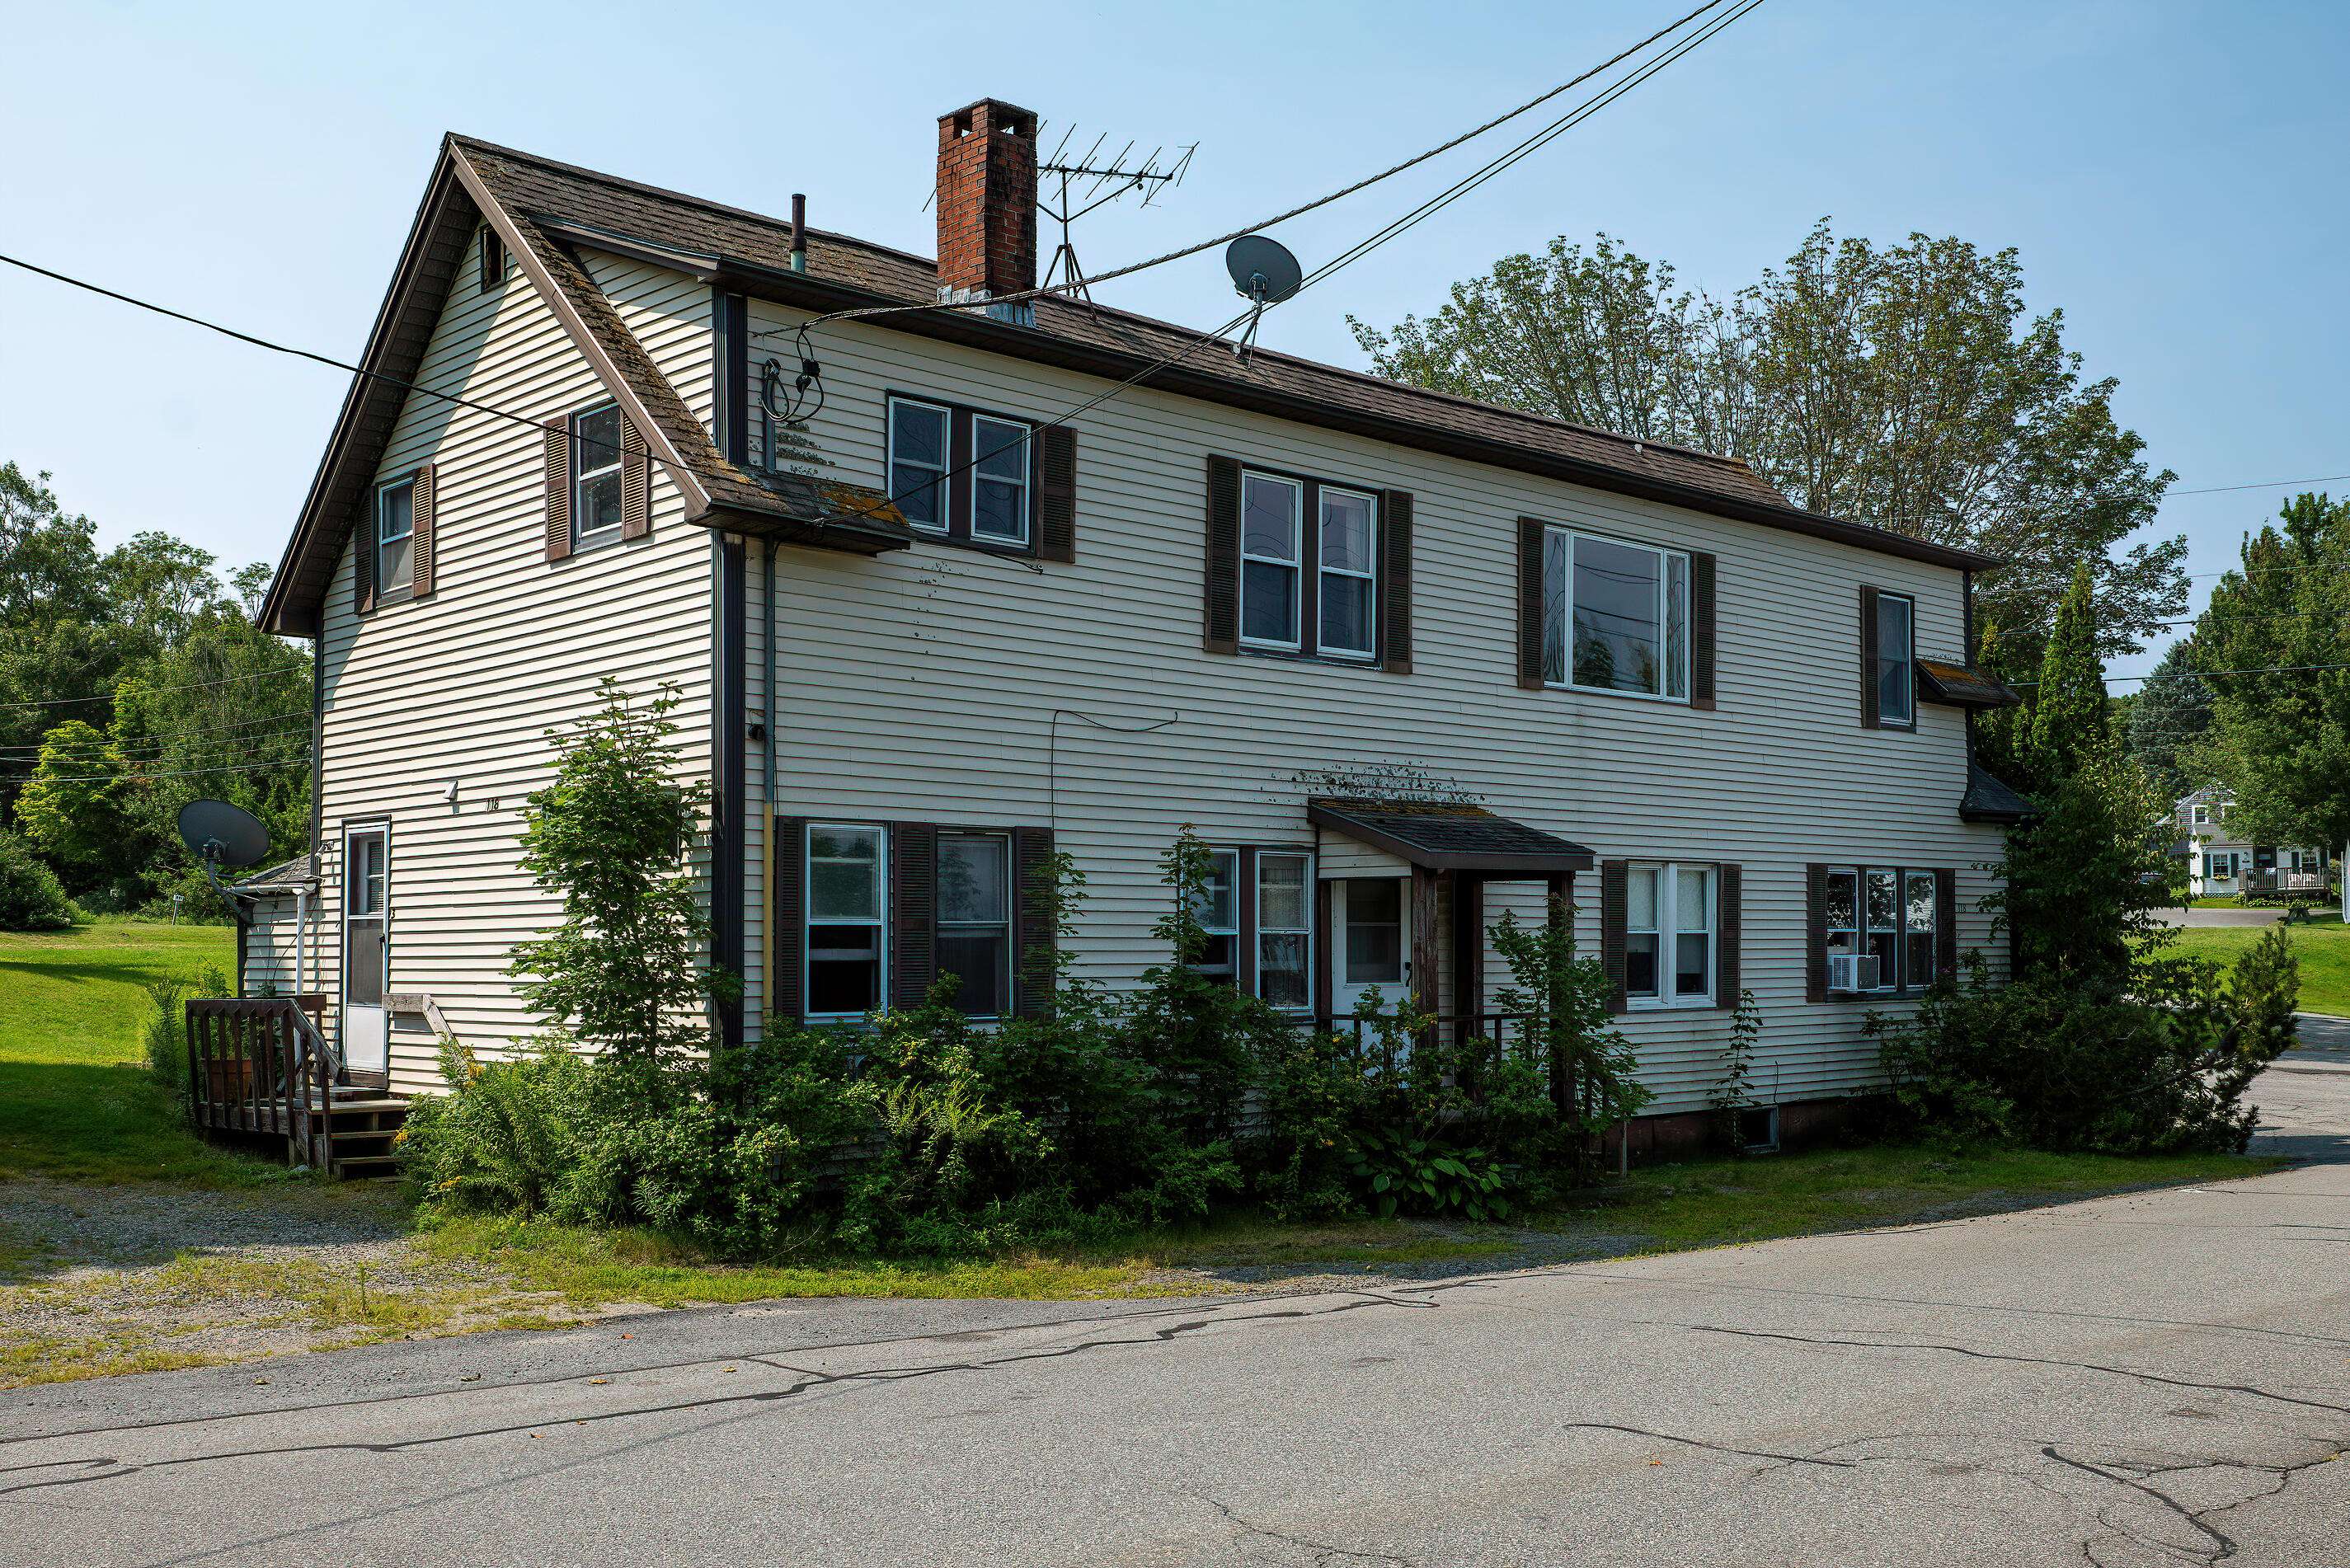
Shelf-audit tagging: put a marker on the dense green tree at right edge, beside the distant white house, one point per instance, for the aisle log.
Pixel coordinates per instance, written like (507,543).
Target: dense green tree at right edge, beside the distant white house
(2283,713)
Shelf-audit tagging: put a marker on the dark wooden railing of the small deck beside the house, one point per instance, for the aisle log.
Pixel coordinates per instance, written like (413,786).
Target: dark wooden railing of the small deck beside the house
(262,1066)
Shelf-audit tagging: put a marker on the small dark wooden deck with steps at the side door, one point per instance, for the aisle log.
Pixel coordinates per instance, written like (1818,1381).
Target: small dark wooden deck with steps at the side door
(262,1068)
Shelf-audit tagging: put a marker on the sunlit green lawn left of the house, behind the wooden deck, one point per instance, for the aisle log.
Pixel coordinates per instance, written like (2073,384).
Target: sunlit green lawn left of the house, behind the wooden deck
(76,1101)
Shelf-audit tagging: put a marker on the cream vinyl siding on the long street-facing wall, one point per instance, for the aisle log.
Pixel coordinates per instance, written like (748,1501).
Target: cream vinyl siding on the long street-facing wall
(946,685)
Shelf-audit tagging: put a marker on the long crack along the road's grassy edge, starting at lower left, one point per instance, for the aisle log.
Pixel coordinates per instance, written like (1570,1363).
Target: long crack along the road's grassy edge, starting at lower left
(807,1379)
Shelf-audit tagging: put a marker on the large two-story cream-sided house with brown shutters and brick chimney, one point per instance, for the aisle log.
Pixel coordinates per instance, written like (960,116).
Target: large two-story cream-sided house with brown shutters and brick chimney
(1404,659)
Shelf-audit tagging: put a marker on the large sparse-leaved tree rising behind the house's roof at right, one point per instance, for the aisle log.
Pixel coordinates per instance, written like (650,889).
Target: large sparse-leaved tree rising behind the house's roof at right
(1898,384)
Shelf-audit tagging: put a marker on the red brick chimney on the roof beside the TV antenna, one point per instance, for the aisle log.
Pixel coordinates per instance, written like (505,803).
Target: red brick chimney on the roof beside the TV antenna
(986,201)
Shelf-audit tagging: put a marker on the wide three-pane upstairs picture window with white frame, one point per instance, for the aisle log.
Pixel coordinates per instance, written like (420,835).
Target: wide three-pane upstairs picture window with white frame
(1616,617)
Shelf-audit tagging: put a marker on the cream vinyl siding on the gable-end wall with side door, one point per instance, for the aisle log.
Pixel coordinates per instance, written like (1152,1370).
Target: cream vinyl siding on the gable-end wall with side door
(464,685)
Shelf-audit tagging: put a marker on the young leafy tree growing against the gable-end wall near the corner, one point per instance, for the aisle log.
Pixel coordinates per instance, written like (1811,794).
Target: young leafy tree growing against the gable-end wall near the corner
(612,836)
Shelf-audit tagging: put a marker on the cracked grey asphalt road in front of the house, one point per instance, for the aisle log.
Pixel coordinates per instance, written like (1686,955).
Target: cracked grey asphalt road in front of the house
(2151,1379)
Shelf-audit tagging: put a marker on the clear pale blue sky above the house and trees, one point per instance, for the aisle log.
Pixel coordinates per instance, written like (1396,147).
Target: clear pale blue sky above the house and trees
(2168,173)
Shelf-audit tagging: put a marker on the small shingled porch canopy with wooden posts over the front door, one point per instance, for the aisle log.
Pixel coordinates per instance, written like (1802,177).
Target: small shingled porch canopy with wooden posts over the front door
(1461,847)
